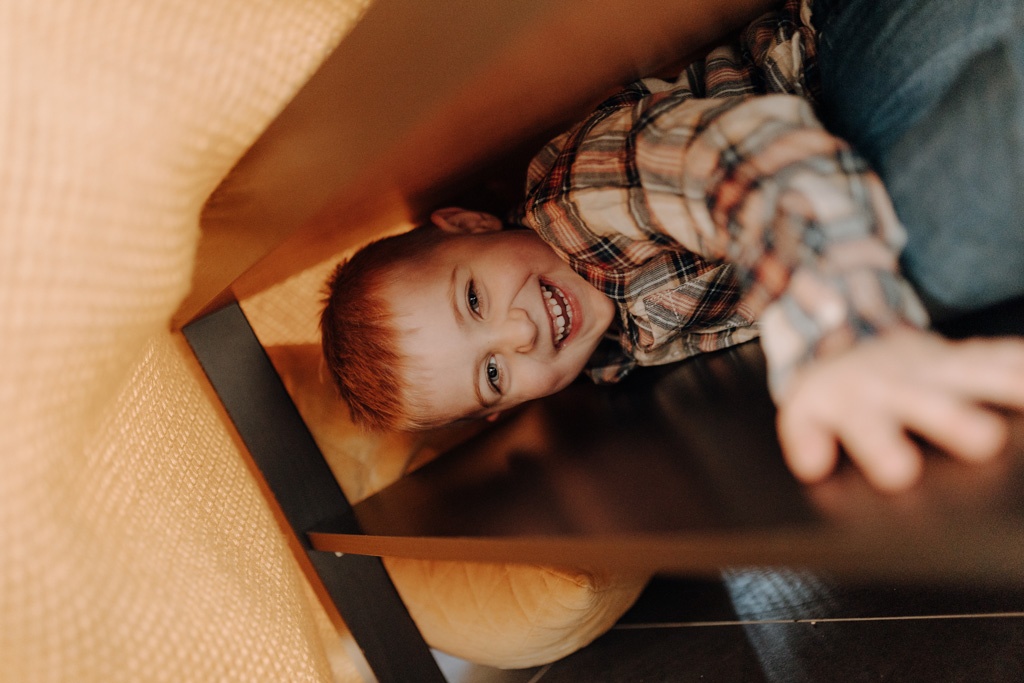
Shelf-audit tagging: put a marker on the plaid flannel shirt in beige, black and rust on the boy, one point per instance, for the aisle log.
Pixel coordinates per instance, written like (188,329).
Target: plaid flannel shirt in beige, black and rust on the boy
(717,206)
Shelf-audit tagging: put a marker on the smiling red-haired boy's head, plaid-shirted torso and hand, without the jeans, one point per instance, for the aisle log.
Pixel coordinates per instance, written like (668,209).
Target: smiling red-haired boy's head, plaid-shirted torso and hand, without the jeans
(680,219)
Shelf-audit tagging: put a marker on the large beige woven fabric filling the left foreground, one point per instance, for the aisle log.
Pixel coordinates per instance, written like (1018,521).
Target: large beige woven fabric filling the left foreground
(136,544)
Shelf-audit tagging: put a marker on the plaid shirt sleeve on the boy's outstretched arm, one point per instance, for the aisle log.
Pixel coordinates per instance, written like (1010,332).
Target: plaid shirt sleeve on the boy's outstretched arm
(759,183)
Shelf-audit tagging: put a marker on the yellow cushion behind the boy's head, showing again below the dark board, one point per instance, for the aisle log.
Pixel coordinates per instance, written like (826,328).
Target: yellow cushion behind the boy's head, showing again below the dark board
(500,615)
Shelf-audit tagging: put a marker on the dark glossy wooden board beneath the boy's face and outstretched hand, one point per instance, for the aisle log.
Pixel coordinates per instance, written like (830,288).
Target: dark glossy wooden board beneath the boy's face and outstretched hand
(678,471)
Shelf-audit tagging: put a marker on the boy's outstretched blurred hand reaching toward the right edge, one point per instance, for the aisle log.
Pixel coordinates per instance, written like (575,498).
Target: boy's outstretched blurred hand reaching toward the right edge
(870,398)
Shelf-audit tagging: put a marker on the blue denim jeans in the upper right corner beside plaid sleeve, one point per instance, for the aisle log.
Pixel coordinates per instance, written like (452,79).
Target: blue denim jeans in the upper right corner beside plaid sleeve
(932,94)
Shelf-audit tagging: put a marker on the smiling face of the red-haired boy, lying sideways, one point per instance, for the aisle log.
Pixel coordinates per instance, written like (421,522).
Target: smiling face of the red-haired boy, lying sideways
(491,321)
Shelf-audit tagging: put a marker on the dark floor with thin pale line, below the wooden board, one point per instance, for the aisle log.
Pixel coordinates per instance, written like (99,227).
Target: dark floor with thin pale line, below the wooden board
(789,627)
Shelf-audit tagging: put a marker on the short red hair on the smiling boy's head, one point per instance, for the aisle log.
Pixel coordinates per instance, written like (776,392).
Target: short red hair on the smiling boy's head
(359,336)
